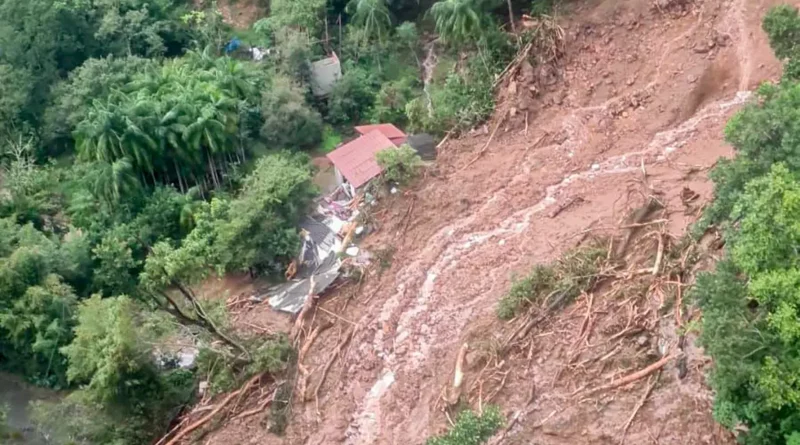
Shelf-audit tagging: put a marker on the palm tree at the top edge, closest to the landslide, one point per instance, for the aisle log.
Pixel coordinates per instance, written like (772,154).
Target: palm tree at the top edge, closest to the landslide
(458,21)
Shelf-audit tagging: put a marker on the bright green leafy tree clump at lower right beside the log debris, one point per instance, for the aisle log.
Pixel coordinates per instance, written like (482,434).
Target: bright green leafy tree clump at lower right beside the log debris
(750,306)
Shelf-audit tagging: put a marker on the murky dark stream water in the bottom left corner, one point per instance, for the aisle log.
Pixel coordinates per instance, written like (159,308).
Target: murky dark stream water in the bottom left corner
(15,395)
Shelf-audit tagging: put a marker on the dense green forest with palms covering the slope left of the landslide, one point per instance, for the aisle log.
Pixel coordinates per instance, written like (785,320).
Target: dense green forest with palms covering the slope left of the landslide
(139,155)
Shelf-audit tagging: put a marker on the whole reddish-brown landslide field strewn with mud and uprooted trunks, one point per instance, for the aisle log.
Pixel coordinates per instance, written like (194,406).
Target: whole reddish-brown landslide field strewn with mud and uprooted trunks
(610,154)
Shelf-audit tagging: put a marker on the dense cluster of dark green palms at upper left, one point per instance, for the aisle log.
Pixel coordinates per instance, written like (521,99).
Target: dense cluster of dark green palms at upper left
(178,125)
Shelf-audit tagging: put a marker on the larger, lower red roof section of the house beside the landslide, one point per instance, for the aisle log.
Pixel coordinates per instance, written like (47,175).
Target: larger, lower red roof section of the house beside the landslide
(356,159)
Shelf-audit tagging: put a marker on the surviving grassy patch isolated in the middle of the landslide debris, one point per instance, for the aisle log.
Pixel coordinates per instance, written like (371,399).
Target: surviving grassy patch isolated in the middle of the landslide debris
(555,284)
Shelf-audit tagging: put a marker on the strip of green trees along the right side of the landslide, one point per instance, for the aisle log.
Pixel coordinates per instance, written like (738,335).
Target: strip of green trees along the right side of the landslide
(751,301)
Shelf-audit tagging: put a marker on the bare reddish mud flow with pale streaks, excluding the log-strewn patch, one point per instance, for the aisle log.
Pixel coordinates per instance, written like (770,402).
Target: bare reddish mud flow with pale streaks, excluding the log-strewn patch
(640,88)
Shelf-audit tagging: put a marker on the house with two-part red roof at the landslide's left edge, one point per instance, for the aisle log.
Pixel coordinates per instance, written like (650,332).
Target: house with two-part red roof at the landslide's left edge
(355,161)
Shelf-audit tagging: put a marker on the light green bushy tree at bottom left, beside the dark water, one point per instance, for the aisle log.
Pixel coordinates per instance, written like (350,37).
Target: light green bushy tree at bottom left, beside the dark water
(125,394)
